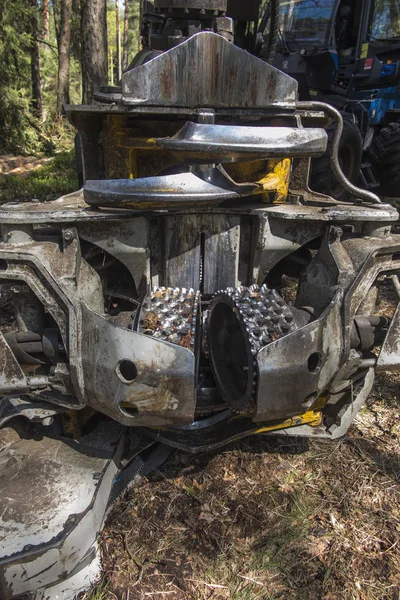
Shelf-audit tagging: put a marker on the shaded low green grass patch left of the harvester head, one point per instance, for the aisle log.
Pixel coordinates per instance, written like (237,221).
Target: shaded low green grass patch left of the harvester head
(47,183)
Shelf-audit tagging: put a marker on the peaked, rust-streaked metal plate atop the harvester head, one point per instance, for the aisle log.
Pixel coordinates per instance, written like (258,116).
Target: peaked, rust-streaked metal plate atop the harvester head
(207,70)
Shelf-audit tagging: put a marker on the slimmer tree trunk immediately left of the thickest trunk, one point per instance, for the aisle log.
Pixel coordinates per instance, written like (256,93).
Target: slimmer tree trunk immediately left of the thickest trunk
(64,49)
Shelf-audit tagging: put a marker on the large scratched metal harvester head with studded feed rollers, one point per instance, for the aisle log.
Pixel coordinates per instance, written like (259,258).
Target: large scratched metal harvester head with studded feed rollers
(194,291)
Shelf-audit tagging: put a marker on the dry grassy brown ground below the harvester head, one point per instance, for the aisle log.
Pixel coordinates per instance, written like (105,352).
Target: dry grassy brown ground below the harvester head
(267,518)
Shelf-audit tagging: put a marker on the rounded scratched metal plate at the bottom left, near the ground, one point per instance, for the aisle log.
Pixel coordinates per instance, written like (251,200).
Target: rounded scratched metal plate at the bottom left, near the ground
(53,494)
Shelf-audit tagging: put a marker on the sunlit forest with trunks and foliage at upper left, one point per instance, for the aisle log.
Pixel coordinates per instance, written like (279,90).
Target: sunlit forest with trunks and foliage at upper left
(55,52)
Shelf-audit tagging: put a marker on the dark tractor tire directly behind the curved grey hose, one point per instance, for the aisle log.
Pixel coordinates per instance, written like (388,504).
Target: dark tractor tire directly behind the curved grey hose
(350,152)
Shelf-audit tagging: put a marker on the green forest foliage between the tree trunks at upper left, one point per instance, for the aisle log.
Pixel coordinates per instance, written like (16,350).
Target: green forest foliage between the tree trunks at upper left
(21,132)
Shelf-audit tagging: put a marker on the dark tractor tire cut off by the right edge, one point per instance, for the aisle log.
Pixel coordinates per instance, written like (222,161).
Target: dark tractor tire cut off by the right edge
(384,154)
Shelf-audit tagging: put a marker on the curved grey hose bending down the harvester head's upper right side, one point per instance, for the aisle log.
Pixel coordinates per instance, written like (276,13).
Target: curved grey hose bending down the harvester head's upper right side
(334,151)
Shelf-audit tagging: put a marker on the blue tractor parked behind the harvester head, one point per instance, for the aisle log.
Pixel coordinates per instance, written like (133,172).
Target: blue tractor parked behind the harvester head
(347,53)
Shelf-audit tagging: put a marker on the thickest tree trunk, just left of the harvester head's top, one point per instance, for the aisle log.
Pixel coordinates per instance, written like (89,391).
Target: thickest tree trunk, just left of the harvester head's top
(94,47)
